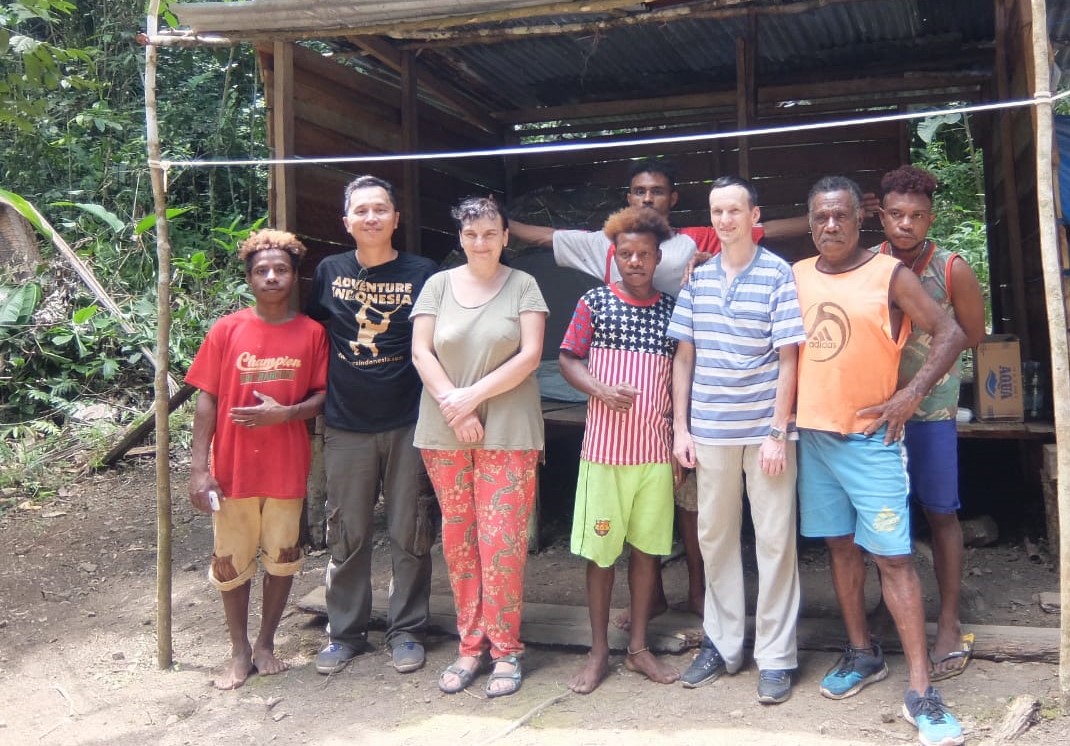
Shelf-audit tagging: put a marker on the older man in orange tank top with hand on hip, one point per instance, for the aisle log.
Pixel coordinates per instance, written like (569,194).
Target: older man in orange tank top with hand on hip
(859,309)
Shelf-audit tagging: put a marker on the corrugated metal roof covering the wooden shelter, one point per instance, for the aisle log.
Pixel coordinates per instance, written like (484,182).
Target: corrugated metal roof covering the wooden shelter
(606,60)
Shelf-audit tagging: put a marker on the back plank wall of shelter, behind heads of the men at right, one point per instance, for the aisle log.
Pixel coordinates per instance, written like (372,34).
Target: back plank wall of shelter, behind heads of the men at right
(784,166)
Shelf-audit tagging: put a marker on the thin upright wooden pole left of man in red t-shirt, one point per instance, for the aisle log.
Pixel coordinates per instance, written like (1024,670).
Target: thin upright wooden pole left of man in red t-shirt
(164,649)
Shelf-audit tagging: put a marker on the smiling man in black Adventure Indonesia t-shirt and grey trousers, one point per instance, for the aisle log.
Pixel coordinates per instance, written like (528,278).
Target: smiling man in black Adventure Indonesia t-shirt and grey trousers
(364,299)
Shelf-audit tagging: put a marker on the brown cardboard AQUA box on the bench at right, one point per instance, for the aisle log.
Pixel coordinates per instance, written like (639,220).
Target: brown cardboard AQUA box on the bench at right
(998,379)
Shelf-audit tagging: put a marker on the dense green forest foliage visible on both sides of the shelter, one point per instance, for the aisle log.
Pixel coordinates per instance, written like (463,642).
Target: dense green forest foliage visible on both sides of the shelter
(73,145)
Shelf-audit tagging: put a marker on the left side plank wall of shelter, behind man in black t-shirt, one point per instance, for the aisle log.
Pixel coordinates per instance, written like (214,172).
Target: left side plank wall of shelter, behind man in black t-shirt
(339,112)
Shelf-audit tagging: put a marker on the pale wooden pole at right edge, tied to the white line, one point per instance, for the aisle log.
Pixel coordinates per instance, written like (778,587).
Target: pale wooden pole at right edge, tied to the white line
(1057,324)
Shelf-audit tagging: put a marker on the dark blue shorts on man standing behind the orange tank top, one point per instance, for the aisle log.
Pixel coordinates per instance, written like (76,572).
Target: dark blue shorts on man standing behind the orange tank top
(933,462)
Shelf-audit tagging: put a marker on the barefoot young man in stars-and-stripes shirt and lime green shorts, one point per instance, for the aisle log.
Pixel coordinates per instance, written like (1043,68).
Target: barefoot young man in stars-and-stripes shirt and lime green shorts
(617,353)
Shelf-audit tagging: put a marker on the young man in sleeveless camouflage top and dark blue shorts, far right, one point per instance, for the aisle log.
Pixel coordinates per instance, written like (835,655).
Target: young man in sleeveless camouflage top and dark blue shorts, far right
(931,437)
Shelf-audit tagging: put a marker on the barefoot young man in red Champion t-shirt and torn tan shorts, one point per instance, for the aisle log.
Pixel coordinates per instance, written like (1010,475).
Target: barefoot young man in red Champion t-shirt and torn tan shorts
(262,373)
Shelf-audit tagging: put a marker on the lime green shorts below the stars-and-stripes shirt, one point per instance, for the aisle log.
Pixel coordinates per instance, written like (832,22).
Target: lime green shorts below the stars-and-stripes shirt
(619,505)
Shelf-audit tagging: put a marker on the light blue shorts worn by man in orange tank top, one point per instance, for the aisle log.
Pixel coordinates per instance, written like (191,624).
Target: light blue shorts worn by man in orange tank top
(855,485)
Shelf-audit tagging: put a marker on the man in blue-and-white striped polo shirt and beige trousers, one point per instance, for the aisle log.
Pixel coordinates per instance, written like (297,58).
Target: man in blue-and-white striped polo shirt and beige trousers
(738,328)
